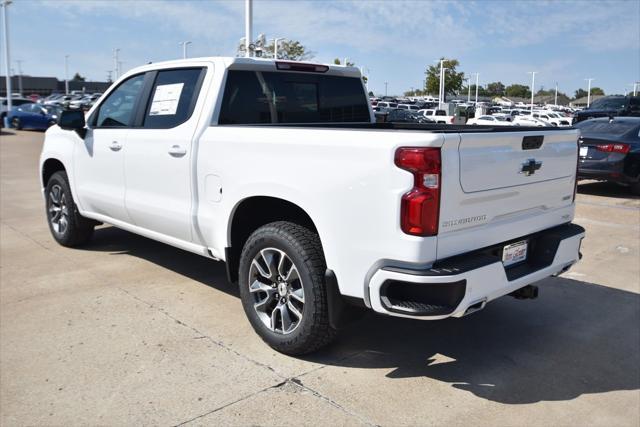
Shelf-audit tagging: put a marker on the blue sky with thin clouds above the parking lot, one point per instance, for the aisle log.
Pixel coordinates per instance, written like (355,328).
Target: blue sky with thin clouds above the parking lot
(564,41)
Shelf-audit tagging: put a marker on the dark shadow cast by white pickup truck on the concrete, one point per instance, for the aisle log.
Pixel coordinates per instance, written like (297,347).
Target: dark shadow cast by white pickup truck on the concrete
(576,338)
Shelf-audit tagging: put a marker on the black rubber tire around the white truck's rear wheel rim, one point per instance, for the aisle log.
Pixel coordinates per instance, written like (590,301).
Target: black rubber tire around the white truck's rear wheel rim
(304,250)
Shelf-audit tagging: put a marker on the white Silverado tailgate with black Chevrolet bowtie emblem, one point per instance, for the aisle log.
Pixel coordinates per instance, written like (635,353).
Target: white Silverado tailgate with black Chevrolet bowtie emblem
(500,186)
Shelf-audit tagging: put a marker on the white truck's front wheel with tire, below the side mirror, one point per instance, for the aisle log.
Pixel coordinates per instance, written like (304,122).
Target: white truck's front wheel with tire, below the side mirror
(60,205)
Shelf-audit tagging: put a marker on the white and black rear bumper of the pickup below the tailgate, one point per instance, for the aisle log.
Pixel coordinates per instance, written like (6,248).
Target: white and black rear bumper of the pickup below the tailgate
(463,284)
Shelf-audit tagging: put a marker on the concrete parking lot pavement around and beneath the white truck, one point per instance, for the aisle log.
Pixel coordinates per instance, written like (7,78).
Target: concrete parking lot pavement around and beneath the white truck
(128,331)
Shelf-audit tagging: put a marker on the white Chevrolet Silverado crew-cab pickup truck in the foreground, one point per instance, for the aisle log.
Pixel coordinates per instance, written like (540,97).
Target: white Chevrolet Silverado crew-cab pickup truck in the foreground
(279,169)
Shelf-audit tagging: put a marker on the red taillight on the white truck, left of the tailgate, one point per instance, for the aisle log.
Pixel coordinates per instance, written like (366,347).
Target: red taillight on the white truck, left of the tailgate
(420,207)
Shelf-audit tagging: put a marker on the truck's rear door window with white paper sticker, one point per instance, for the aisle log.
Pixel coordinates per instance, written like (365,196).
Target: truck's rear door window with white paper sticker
(173,97)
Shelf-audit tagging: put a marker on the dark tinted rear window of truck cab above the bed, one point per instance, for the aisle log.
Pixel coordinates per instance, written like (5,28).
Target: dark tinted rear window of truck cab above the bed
(271,97)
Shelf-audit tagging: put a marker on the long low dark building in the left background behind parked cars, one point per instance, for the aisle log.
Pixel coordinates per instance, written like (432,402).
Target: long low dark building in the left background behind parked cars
(45,86)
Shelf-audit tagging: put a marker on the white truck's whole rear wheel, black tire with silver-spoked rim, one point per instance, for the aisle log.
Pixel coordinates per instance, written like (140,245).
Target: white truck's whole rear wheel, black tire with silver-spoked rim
(282,288)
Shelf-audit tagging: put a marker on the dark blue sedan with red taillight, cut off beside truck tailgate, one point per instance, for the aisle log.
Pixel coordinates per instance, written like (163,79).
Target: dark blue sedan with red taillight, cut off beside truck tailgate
(610,150)
